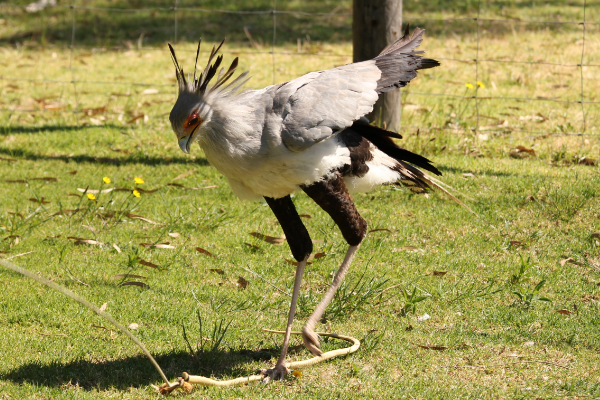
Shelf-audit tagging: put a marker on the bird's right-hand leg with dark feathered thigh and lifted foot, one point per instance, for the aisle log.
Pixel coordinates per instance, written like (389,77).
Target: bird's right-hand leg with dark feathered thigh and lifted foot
(333,197)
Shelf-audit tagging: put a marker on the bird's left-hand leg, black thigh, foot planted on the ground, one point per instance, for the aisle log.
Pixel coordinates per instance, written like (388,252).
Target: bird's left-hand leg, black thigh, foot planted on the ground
(301,246)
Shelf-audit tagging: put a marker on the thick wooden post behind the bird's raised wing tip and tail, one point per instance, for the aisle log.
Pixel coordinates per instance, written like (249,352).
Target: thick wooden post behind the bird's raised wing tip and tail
(375,25)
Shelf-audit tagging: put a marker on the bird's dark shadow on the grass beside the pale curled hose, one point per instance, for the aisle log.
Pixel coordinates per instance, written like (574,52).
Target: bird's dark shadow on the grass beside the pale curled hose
(138,371)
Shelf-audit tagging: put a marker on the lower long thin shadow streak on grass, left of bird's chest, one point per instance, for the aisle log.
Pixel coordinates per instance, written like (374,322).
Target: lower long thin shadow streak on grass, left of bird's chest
(84,158)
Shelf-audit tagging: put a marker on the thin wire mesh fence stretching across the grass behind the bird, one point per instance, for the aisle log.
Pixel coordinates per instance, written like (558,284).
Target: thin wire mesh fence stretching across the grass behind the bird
(274,12)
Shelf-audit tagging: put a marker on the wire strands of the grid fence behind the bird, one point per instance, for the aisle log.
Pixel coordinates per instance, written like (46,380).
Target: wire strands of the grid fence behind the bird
(274,12)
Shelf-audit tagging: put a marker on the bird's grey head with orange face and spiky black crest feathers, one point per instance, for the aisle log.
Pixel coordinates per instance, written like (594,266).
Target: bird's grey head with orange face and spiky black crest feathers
(192,112)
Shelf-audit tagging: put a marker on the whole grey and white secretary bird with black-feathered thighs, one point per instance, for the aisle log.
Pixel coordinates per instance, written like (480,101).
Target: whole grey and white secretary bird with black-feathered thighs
(307,134)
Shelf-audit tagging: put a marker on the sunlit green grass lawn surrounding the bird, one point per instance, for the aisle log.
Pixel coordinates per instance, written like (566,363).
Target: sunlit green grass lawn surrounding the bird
(533,212)
